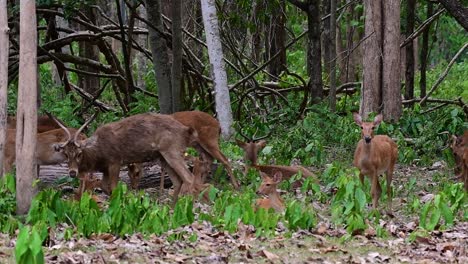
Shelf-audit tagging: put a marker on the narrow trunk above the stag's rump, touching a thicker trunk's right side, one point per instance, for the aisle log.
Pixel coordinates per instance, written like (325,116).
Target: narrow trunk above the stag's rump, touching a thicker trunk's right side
(177,52)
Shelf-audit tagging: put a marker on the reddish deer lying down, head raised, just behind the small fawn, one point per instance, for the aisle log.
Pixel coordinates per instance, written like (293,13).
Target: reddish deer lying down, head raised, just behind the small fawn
(251,150)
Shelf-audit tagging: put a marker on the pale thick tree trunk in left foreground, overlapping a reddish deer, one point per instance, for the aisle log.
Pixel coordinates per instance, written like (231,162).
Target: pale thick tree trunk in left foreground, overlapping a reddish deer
(26,117)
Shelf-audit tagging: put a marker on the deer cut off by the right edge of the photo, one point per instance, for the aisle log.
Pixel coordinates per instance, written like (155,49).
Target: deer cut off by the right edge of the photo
(460,152)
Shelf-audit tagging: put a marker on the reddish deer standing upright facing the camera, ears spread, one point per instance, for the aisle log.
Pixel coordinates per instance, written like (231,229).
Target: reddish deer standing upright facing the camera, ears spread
(373,156)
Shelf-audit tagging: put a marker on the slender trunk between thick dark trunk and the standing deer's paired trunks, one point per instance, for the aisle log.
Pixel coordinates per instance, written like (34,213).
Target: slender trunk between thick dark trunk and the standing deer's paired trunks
(332,58)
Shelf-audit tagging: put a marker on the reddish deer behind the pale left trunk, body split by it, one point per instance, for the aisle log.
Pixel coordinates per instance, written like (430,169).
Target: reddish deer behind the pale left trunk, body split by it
(45,152)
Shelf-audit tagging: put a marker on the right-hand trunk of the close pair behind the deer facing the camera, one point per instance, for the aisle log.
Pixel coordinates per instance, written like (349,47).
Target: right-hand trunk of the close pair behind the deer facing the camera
(391,61)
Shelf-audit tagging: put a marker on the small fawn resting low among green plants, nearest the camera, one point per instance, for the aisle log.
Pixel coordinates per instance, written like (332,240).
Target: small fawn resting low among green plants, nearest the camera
(268,187)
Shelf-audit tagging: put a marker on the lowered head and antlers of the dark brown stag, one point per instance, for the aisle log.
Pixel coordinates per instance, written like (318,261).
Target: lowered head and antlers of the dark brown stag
(72,148)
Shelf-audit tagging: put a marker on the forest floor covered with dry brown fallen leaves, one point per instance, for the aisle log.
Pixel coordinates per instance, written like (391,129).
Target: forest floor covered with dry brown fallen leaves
(324,244)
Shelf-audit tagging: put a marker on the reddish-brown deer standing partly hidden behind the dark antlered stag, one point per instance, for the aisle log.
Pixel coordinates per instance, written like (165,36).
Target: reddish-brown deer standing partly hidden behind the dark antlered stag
(207,145)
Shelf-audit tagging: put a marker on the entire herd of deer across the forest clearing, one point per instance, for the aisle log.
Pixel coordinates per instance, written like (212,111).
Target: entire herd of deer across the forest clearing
(148,137)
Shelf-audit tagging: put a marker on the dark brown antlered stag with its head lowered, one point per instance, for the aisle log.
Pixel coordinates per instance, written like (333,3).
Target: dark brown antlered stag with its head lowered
(135,139)
